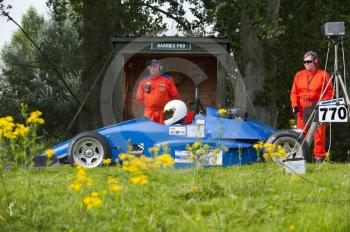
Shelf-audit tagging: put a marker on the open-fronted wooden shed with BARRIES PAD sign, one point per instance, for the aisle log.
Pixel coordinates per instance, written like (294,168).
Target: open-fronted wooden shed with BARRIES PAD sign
(190,61)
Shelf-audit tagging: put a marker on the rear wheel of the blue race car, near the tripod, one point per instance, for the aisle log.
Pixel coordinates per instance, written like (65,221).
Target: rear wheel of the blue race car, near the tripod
(288,139)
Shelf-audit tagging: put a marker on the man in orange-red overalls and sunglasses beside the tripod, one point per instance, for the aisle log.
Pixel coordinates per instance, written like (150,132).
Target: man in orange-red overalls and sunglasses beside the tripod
(307,88)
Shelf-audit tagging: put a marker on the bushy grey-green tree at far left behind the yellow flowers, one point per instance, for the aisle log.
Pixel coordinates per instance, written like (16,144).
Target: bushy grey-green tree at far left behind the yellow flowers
(28,77)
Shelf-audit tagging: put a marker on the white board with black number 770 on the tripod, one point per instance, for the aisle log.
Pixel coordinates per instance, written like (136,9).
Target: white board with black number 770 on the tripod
(332,113)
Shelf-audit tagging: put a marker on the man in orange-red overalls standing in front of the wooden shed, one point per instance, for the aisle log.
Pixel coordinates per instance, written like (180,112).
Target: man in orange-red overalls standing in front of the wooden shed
(155,90)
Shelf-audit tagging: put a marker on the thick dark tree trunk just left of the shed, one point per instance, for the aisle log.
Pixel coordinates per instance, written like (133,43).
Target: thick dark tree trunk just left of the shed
(99,24)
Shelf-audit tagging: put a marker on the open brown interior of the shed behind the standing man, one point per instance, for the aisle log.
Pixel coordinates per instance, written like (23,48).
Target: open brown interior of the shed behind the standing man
(186,70)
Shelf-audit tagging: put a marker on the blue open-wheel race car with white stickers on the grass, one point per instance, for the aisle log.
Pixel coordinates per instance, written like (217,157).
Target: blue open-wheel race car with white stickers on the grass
(234,137)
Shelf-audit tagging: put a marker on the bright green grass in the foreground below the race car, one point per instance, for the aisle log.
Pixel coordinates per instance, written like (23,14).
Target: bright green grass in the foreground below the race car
(257,197)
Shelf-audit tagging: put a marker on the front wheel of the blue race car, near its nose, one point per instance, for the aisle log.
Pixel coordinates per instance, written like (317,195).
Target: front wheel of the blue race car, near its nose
(88,149)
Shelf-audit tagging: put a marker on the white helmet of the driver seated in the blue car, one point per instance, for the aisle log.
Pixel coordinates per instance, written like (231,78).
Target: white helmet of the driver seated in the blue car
(174,111)
